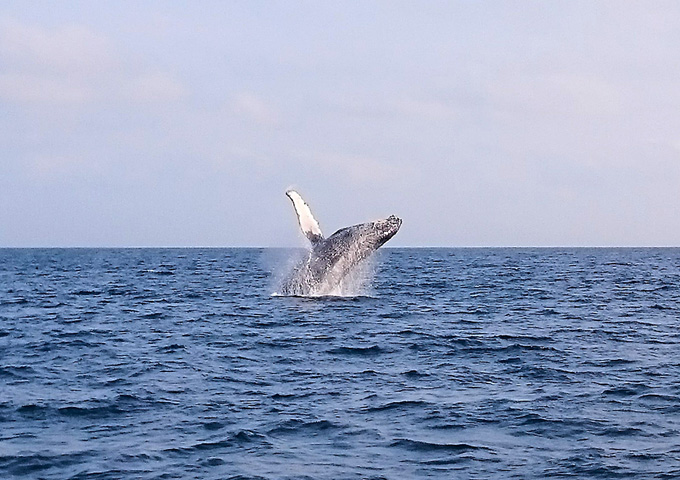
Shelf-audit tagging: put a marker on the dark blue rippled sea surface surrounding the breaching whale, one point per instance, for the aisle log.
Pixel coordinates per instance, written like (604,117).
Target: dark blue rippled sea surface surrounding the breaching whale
(462,363)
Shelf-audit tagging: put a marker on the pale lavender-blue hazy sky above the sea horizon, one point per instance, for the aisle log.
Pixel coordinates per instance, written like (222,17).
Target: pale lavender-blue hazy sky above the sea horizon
(530,123)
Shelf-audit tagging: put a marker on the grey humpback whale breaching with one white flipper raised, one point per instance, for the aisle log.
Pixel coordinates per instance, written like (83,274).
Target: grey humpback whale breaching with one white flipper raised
(331,259)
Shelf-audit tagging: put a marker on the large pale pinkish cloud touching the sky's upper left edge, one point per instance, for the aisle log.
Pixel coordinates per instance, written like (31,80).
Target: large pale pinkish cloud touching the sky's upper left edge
(74,65)
